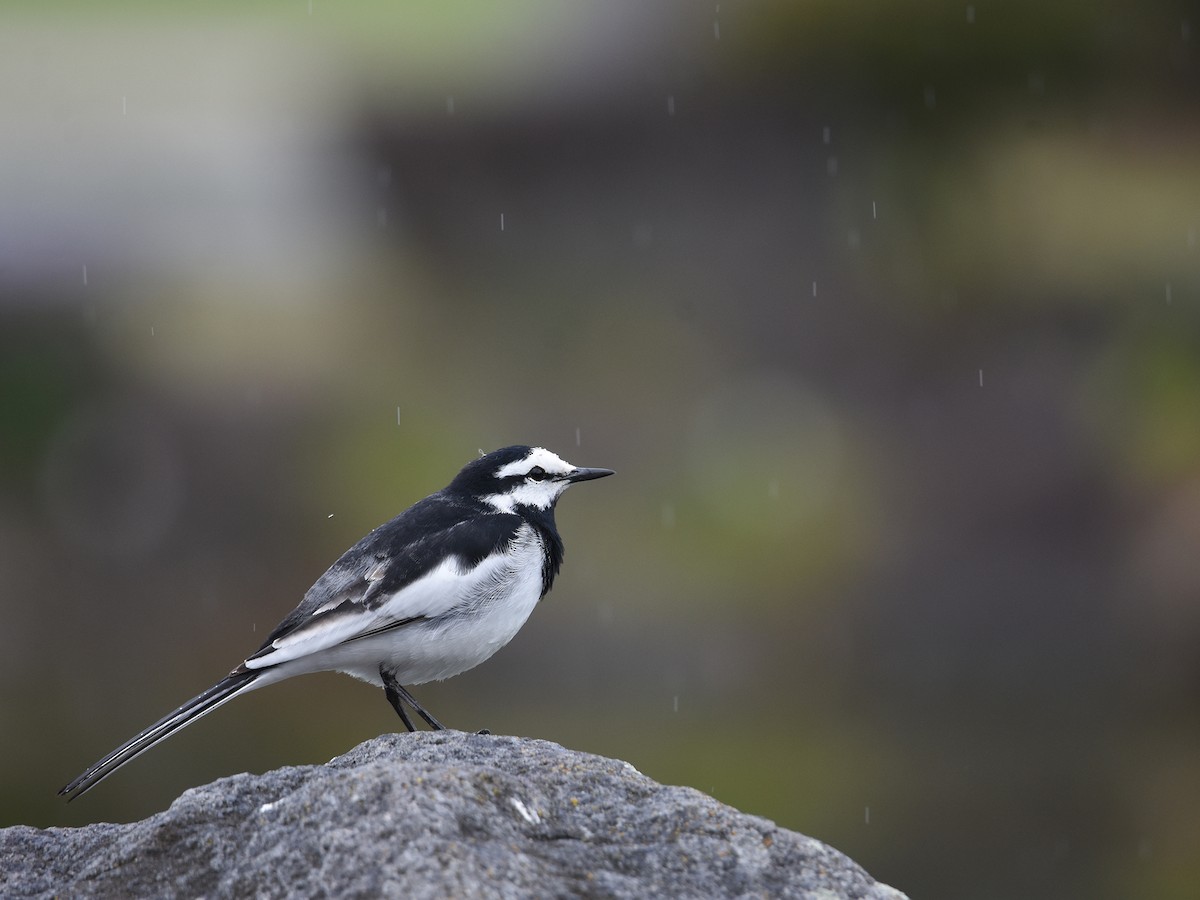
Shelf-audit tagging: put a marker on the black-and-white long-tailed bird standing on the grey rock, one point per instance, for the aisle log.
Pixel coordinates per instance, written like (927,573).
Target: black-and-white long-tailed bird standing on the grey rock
(425,597)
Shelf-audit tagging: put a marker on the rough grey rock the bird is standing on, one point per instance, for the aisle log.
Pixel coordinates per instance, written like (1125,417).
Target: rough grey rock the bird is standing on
(435,815)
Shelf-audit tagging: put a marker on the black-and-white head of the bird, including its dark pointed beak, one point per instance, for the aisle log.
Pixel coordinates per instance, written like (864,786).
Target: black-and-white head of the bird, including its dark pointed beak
(520,477)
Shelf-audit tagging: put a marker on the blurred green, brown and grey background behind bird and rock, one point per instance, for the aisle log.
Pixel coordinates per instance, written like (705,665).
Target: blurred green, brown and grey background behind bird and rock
(887,315)
